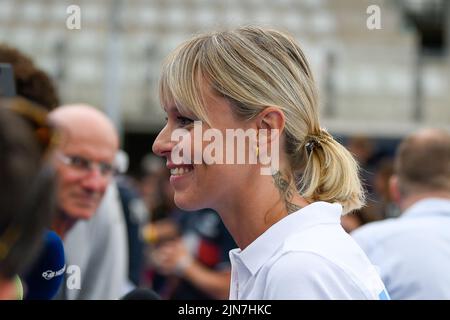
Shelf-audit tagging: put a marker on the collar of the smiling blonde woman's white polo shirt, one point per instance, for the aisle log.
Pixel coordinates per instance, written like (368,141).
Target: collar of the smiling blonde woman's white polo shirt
(264,247)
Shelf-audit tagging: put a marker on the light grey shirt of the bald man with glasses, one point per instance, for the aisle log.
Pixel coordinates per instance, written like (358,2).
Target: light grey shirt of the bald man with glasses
(98,247)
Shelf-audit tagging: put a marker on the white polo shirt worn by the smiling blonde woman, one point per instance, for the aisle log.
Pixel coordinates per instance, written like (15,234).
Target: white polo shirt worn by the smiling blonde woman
(306,255)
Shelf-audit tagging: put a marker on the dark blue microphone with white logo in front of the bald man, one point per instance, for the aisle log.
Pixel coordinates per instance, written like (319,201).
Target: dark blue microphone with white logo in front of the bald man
(47,273)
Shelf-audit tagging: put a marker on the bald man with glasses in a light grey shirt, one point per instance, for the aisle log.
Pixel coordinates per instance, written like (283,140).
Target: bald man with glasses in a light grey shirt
(89,206)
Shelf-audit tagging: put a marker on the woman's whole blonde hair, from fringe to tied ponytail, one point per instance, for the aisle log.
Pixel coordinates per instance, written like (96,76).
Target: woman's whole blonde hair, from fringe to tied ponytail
(254,68)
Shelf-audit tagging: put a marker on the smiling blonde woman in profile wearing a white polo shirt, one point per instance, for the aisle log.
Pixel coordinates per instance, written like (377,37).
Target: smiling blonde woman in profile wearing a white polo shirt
(286,223)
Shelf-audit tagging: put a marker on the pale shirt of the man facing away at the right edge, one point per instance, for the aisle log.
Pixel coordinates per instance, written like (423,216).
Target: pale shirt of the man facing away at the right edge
(412,251)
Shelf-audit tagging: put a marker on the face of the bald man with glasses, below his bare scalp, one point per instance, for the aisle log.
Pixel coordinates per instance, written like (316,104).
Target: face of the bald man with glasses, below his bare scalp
(82,166)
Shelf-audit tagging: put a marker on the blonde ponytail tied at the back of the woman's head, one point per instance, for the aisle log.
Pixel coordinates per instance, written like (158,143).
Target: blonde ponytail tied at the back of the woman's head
(330,173)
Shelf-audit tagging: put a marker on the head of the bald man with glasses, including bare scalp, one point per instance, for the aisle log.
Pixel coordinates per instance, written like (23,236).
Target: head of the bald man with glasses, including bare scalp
(84,162)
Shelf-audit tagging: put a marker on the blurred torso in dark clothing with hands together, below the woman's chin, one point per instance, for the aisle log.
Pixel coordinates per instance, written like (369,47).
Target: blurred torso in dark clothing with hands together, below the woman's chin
(190,254)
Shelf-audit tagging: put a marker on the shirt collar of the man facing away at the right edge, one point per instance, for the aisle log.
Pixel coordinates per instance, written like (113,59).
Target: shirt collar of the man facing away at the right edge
(428,207)
